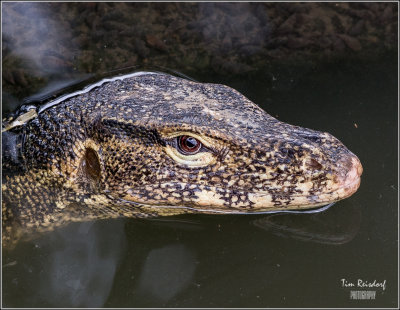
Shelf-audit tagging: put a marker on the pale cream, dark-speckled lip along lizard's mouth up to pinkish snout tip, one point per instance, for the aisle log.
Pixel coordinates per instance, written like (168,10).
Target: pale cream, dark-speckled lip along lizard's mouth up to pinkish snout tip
(207,199)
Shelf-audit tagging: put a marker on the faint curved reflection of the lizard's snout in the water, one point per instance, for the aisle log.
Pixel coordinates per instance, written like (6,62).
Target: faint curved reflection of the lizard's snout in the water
(337,225)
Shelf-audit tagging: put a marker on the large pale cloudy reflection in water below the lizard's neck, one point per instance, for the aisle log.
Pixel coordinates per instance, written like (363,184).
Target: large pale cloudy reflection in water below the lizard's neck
(75,267)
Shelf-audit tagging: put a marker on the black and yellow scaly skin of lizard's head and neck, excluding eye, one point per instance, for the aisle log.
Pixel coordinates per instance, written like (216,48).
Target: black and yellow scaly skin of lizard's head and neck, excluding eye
(114,151)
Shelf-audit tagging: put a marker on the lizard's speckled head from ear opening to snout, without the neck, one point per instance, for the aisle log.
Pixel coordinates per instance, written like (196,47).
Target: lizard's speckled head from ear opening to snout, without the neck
(171,145)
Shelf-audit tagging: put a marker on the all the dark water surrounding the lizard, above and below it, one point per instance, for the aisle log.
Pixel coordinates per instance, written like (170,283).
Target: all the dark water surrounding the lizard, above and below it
(218,260)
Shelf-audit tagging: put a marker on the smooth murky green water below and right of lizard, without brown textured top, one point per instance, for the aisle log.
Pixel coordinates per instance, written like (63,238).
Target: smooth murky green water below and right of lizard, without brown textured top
(245,261)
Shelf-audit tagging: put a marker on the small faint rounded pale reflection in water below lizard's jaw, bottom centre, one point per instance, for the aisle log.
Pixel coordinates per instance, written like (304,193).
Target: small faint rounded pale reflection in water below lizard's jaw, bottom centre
(166,272)
